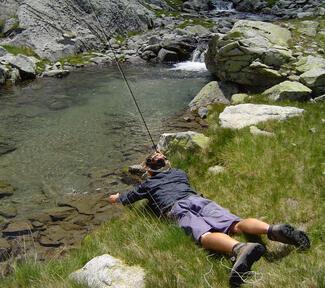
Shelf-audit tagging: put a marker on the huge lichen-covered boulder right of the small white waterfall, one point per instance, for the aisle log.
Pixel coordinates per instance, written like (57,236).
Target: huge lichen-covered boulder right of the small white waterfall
(252,53)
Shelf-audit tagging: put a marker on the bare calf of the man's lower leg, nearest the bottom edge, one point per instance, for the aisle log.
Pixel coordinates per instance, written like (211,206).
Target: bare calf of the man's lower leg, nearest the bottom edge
(219,242)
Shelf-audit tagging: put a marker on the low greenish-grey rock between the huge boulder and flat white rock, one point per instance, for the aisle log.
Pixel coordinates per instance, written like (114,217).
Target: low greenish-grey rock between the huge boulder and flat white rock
(288,90)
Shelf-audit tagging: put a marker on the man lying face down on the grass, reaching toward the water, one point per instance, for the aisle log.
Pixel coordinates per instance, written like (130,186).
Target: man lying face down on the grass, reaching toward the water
(170,194)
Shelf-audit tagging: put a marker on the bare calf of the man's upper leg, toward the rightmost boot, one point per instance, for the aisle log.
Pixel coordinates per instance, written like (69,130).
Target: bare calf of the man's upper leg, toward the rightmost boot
(251,226)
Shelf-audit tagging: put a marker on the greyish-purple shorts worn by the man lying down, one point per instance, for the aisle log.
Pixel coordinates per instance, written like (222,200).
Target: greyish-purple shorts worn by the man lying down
(197,216)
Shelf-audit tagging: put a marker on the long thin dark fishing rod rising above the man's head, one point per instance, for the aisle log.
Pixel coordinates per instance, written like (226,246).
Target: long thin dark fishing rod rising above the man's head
(108,44)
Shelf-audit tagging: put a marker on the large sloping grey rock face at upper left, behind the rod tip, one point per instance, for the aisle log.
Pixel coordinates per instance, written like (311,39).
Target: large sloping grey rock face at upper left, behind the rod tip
(59,28)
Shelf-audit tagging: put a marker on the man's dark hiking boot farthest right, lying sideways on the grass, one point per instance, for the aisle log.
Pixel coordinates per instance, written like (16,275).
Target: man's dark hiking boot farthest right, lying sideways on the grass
(285,233)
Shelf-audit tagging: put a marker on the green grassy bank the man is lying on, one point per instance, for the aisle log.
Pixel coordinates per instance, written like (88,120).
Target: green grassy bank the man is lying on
(278,179)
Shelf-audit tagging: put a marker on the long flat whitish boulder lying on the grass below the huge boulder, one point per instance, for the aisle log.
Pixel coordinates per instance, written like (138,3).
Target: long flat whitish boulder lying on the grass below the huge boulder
(243,115)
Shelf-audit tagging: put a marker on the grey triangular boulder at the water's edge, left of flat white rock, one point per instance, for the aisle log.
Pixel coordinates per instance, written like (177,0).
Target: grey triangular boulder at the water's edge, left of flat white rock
(209,94)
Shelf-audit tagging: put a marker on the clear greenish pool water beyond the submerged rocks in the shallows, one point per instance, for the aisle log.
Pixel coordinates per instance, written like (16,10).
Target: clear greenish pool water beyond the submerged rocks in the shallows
(64,128)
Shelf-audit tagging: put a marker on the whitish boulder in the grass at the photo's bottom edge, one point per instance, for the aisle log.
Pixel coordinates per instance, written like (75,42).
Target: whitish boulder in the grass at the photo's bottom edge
(107,271)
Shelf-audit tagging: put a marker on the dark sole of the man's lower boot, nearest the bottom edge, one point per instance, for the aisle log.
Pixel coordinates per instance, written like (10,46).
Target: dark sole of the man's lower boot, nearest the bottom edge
(244,264)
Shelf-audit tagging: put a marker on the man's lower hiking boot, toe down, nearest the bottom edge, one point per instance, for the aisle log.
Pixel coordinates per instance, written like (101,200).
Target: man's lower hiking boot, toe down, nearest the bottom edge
(246,254)
